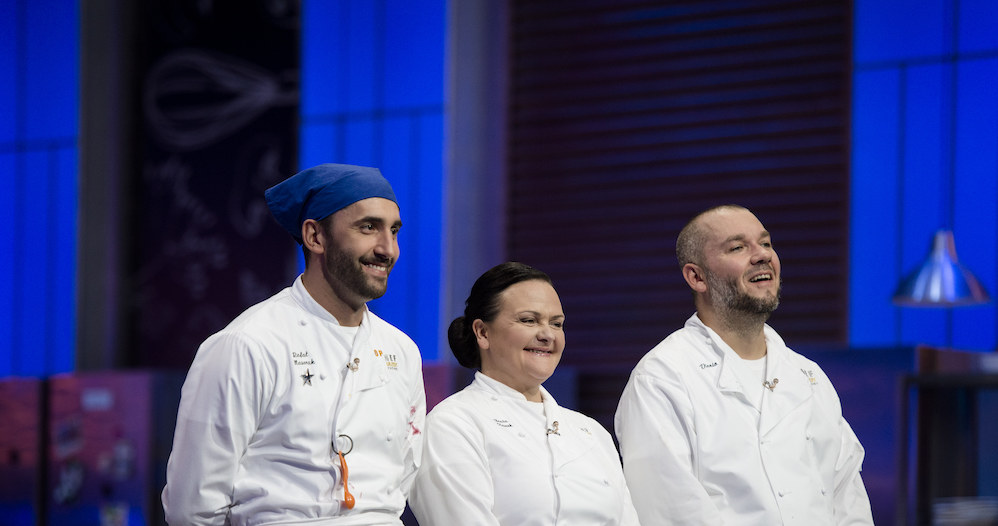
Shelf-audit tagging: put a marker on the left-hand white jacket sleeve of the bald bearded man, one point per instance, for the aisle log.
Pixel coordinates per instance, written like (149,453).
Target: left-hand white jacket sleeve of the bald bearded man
(654,425)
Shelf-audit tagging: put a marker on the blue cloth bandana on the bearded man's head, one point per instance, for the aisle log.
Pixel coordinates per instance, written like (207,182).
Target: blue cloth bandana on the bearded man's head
(318,192)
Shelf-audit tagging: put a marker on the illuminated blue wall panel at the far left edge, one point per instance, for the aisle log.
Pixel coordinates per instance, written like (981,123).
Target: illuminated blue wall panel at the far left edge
(38,204)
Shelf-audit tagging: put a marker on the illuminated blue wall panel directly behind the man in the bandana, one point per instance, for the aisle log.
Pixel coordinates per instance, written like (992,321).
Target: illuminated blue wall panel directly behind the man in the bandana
(373,94)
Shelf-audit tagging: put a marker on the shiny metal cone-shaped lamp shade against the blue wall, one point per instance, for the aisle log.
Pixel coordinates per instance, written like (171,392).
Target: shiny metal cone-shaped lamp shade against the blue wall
(940,281)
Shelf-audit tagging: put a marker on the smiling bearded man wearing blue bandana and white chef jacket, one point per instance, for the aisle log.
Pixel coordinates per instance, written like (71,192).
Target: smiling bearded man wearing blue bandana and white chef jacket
(307,408)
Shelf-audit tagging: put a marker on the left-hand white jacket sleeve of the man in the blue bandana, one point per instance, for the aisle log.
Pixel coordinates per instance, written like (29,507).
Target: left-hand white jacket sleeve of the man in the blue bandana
(221,400)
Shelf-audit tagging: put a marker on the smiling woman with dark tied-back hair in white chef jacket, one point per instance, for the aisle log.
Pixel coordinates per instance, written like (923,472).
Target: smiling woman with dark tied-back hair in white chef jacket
(502,451)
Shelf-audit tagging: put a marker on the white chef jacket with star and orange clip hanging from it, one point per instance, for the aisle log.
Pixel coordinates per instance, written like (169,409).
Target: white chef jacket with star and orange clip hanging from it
(256,420)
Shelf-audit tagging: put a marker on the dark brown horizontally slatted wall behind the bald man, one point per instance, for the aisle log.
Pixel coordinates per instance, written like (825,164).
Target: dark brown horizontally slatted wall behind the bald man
(628,117)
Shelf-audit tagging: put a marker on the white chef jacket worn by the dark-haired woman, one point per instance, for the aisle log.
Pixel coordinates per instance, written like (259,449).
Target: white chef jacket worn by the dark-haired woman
(492,457)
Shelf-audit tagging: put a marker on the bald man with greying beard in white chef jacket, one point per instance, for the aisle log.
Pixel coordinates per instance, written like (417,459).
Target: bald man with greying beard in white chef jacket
(721,423)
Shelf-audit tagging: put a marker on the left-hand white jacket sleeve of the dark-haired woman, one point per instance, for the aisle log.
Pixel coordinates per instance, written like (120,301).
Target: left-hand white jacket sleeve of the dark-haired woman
(453,484)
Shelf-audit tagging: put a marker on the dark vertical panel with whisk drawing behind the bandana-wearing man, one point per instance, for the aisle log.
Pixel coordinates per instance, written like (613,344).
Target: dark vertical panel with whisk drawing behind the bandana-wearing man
(219,106)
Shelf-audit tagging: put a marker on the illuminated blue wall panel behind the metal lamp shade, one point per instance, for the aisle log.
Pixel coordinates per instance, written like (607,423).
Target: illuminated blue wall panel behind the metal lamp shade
(924,157)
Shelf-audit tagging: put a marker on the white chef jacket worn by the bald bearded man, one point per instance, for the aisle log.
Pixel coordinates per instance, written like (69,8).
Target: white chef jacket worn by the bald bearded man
(697,451)
